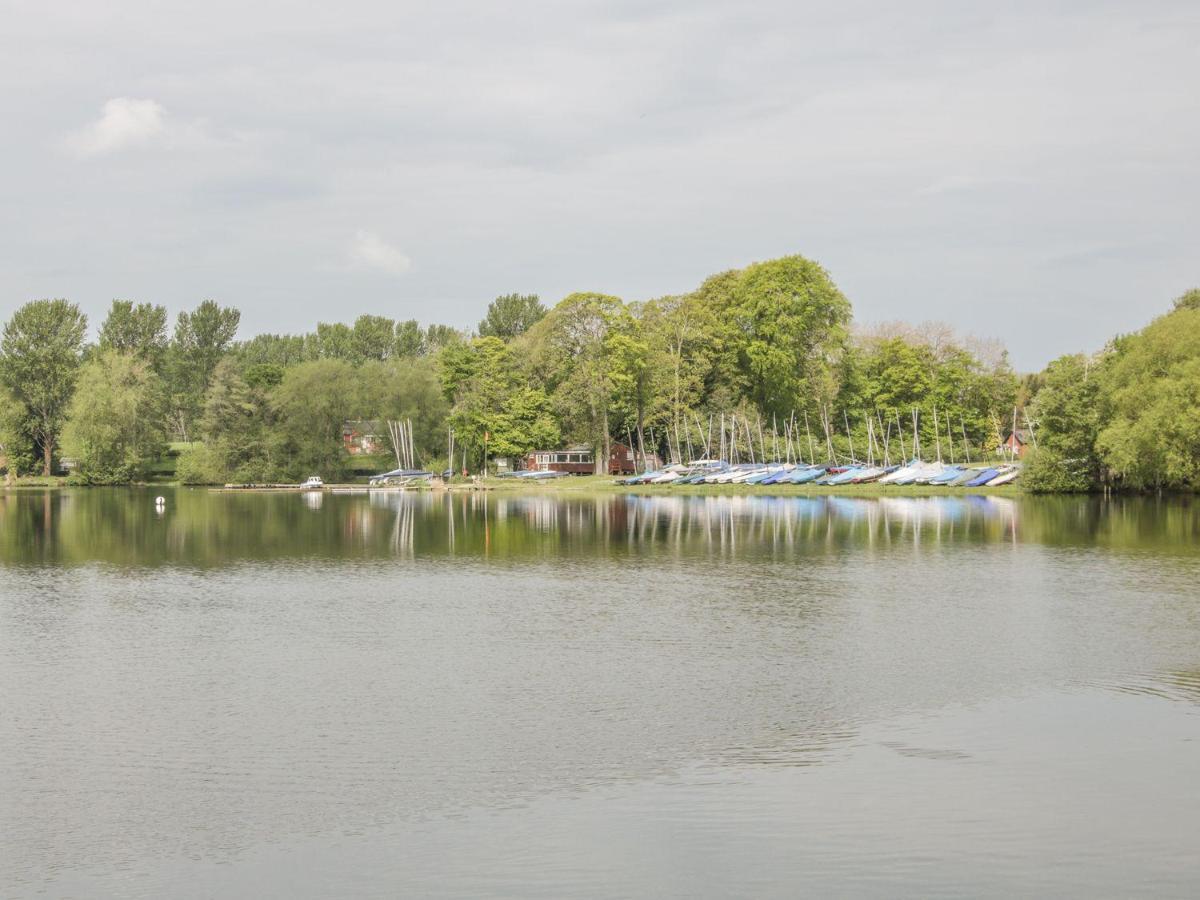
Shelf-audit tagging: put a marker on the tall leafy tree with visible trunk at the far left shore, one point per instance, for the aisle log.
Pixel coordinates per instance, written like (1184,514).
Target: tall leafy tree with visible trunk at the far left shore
(40,357)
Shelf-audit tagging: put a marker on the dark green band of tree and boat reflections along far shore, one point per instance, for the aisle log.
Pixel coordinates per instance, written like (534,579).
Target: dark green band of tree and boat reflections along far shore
(206,529)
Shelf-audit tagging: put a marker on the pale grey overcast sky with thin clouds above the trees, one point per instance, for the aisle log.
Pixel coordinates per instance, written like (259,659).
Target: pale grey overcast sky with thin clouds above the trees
(1029,172)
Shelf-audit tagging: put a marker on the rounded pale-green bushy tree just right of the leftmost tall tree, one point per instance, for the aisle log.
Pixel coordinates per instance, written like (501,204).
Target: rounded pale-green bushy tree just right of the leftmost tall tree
(116,424)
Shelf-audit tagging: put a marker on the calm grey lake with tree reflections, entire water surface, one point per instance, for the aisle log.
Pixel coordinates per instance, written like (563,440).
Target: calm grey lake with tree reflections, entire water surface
(416,695)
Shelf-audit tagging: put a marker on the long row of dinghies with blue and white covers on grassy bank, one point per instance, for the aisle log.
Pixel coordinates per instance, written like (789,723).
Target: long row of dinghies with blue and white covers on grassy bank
(717,472)
